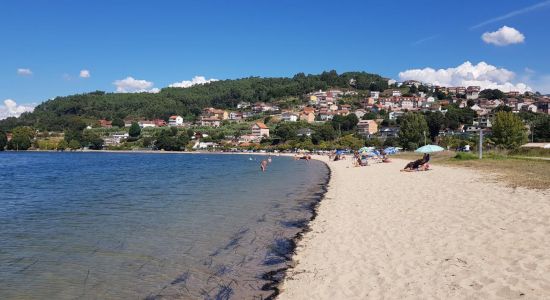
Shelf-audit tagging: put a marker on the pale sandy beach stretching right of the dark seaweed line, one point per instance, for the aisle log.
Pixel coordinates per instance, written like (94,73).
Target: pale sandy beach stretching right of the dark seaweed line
(448,233)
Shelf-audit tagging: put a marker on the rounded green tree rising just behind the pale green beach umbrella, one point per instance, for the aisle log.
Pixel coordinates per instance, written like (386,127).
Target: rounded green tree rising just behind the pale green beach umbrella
(413,128)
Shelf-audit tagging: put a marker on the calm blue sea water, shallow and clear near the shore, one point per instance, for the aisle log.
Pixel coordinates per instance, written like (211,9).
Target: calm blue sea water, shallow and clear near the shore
(135,226)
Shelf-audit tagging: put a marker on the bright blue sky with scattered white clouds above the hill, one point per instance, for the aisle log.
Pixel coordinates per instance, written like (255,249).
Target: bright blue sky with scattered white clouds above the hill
(56,48)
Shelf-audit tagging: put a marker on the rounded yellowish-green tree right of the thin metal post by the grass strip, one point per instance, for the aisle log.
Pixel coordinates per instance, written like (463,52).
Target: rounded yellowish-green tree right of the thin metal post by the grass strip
(508,130)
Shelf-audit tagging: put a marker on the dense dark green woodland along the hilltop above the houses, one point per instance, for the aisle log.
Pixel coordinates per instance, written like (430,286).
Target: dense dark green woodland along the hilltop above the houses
(60,112)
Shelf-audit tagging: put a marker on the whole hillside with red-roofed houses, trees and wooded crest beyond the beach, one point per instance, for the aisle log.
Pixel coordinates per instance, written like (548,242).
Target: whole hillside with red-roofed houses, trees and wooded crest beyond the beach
(312,112)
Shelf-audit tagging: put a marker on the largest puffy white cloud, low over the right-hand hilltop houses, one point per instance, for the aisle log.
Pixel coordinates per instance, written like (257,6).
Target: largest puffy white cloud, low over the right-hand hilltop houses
(467,74)
